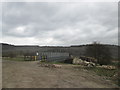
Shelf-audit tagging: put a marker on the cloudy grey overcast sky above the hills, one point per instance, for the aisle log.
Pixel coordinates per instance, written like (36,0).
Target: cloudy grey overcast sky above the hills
(30,23)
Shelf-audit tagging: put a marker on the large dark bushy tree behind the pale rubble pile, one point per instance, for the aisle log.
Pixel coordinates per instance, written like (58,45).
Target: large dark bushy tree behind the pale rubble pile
(100,52)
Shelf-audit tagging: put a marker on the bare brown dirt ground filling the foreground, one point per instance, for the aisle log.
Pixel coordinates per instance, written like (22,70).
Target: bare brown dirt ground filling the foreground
(30,75)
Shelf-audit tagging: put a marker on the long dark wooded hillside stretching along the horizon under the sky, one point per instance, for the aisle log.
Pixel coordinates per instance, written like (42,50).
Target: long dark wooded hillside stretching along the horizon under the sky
(76,50)
